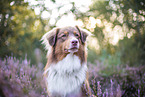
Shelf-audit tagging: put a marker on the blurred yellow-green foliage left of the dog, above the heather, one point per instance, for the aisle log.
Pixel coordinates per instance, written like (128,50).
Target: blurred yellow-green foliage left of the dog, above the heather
(21,30)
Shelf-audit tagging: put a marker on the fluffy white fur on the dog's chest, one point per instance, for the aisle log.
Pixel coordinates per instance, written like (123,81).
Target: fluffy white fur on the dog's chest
(66,76)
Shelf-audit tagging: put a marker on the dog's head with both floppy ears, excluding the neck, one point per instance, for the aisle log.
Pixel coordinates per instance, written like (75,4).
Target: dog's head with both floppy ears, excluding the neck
(67,39)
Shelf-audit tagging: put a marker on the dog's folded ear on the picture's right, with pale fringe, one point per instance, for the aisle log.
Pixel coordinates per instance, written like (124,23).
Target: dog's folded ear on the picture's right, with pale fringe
(83,33)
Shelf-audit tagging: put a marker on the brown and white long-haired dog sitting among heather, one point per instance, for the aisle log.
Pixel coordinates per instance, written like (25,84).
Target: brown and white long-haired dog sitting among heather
(66,71)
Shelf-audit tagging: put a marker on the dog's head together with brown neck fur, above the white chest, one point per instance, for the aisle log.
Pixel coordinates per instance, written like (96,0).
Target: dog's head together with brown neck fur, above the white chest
(61,41)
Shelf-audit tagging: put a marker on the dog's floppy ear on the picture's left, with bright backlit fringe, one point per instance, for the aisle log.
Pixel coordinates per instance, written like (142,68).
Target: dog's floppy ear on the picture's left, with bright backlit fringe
(50,37)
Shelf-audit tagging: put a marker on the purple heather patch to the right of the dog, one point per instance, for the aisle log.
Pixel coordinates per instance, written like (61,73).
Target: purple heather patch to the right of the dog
(122,82)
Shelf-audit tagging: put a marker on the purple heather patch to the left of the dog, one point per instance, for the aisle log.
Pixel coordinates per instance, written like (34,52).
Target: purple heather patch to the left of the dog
(19,79)
